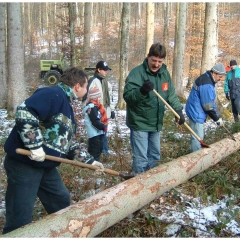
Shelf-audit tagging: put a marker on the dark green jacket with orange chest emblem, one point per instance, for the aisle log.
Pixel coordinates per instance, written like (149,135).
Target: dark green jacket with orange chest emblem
(145,113)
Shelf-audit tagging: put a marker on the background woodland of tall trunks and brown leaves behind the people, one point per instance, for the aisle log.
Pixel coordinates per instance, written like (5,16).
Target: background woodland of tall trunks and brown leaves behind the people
(119,33)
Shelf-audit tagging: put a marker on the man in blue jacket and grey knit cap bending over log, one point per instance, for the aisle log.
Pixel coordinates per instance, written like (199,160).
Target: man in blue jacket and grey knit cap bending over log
(201,102)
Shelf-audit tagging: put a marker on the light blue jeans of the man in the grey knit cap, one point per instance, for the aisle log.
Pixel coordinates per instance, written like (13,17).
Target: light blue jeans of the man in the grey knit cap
(198,129)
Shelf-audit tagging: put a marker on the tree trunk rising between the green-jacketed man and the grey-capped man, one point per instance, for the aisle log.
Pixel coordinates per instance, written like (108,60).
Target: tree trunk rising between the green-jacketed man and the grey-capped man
(180,43)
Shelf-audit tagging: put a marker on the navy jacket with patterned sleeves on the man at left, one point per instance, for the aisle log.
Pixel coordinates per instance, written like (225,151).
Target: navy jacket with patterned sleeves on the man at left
(45,119)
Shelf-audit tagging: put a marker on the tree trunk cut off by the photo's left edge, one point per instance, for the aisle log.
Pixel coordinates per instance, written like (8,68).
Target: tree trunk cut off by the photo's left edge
(3,75)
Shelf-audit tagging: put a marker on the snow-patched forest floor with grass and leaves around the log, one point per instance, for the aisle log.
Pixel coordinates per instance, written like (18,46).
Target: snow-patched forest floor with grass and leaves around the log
(205,206)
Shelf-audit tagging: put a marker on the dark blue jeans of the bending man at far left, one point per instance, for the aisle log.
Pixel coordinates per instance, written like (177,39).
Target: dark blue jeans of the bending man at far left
(25,183)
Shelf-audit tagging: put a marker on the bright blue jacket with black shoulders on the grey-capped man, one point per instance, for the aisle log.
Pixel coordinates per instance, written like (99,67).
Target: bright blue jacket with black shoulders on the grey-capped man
(200,103)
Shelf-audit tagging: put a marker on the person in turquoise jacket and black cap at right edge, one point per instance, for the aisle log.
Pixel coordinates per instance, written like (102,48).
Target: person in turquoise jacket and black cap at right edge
(232,88)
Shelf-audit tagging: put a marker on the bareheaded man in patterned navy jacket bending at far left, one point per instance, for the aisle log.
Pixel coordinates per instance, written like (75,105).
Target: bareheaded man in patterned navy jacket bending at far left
(44,125)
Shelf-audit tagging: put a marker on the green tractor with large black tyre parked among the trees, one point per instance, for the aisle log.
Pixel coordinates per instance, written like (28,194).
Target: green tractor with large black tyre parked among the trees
(51,70)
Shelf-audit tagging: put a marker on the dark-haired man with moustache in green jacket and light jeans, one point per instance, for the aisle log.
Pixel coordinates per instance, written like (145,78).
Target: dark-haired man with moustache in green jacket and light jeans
(145,111)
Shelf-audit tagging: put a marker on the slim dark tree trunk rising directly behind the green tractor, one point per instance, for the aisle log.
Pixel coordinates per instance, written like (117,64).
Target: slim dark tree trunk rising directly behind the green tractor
(72,18)
